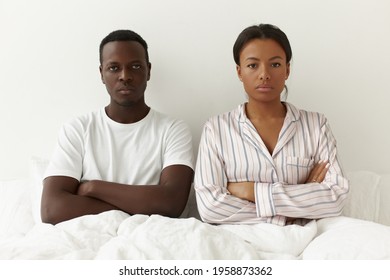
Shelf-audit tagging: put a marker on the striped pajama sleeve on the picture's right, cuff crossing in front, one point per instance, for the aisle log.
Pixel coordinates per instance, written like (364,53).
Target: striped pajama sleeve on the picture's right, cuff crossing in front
(312,200)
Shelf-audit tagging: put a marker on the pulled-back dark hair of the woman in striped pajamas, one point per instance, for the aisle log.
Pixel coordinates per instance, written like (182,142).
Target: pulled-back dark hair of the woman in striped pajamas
(261,31)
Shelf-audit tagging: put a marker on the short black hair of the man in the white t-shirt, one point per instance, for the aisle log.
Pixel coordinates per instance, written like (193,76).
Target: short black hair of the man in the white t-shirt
(123,35)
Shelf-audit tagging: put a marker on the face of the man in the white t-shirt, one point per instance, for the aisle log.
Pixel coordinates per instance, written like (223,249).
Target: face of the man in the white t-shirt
(125,72)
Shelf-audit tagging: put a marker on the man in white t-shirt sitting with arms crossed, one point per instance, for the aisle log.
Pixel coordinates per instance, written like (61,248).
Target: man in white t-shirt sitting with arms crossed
(125,156)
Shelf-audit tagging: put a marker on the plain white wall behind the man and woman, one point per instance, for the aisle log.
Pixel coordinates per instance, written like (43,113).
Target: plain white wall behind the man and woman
(49,66)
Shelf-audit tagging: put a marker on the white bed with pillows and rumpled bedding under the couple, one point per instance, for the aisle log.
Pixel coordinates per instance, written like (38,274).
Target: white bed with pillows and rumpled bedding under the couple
(362,232)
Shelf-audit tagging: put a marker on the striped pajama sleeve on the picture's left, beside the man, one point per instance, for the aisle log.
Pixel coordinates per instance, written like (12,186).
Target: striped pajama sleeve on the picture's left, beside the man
(215,204)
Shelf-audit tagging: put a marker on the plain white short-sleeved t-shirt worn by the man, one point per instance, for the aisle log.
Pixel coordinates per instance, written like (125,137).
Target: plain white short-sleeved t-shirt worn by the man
(94,147)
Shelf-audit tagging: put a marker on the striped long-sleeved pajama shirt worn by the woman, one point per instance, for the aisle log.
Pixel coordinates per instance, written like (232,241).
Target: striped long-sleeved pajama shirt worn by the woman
(231,150)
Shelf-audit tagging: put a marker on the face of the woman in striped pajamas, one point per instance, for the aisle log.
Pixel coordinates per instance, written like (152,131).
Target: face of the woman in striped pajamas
(263,70)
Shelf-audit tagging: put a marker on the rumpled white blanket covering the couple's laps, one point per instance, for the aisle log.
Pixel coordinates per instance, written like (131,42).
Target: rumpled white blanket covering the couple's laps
(117,235)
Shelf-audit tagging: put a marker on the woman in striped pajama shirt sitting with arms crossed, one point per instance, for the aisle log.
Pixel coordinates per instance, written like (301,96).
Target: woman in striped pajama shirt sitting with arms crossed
(267,161)
